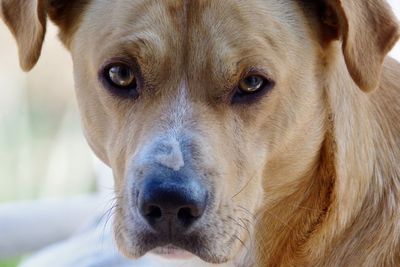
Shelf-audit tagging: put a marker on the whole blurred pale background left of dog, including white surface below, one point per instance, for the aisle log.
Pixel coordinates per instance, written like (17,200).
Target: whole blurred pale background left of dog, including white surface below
(43,154)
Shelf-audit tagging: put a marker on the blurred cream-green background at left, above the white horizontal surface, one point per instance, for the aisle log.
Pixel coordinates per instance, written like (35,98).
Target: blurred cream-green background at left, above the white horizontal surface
(42,150)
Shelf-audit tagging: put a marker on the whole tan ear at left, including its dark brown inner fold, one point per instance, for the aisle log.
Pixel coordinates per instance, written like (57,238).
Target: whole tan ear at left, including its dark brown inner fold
(27,21)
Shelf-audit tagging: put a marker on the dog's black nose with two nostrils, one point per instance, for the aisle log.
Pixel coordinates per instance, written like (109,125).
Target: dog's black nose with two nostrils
(172,203)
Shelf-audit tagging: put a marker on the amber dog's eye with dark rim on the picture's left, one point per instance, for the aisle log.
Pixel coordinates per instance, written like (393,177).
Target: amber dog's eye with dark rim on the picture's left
(120,79)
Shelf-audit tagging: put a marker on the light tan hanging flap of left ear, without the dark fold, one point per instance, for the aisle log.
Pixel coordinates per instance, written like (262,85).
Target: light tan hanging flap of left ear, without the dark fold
(27,21)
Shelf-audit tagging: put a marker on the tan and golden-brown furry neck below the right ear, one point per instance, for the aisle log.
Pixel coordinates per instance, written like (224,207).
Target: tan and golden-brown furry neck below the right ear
(349,180)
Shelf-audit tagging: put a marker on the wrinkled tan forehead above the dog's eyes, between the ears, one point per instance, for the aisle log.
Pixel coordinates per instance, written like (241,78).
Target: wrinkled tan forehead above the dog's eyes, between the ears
(209,36)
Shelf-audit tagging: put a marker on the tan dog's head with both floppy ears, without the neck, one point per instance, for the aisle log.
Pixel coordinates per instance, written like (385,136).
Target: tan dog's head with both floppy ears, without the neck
(205,110)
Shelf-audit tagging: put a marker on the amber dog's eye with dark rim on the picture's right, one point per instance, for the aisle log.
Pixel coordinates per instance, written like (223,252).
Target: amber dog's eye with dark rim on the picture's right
(251,88)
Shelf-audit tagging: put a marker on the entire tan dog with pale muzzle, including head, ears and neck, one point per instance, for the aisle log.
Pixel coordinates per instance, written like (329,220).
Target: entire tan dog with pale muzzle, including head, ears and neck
(256,133)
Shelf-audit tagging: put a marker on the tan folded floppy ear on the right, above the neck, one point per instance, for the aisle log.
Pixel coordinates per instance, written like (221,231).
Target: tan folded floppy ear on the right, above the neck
(369,30)
